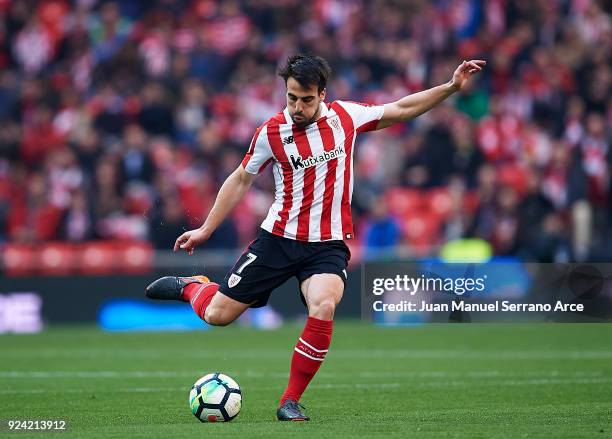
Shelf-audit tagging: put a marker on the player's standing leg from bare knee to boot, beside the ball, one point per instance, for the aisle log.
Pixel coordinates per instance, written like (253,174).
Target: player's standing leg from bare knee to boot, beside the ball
(322,293)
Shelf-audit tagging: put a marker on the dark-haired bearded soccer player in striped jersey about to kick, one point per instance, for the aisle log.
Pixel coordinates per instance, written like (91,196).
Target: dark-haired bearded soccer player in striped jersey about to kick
(310,146)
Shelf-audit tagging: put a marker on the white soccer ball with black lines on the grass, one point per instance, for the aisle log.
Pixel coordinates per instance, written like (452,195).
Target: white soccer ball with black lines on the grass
(215,398)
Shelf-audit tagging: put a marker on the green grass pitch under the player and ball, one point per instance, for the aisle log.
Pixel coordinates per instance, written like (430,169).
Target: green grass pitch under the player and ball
(487,380)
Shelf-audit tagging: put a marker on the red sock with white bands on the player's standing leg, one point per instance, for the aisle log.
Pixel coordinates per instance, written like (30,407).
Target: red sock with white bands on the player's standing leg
(308,355)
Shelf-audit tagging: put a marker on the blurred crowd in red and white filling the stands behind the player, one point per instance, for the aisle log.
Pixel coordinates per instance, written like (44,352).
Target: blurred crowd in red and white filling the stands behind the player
(120,120)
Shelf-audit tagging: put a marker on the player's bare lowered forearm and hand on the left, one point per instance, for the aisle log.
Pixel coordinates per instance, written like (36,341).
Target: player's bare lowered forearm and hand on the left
(231,192)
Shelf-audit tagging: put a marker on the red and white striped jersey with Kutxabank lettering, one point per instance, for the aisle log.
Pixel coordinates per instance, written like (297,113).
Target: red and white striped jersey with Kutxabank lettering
(313,170)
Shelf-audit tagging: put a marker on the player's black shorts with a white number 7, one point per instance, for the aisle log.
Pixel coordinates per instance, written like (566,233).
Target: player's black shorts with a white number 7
(270,260)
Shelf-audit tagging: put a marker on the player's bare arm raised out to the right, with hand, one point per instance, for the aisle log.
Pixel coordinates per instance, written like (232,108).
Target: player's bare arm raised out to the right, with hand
(416,104)
